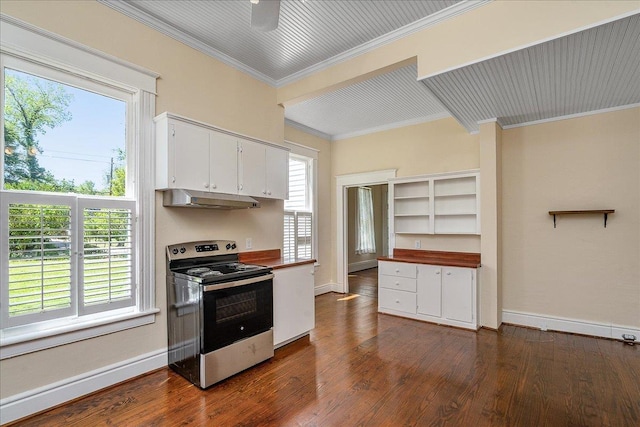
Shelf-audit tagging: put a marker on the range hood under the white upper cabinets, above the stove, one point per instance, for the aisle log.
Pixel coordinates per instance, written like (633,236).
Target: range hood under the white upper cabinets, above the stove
(205,199)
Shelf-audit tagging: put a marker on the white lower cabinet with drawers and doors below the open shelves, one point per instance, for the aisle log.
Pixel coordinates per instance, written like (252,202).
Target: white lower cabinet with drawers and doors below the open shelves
(444,295)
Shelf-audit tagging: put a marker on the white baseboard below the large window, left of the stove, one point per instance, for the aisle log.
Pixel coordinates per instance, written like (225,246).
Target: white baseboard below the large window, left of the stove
(30,402)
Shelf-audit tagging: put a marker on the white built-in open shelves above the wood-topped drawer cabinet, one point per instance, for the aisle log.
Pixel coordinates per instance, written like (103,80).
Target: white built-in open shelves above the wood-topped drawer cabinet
(435,204)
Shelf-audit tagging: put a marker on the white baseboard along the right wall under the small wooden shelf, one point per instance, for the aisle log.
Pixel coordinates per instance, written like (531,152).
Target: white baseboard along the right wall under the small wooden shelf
(575,326)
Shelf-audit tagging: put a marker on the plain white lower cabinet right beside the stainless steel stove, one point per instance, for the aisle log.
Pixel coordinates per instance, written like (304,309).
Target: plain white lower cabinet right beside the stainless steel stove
(293,303)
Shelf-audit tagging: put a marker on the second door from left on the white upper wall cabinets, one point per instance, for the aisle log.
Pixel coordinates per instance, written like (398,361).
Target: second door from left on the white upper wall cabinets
(224,163)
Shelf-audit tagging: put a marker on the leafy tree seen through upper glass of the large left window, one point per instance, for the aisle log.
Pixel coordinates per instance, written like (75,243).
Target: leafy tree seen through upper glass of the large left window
(32,106)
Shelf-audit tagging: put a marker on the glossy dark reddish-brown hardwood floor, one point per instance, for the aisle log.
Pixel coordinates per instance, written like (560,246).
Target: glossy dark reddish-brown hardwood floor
(362,368)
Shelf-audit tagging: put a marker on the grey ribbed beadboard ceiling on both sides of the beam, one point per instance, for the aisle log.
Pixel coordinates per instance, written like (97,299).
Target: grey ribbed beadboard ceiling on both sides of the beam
(592,70)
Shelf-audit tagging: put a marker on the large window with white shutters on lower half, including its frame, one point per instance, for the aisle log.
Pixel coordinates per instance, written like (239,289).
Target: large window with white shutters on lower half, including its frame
(76,209)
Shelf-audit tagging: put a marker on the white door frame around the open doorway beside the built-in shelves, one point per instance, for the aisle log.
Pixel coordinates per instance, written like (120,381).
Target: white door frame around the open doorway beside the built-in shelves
(343,182)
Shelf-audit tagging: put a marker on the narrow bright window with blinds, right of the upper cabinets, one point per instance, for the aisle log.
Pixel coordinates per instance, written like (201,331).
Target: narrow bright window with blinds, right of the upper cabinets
(298,210)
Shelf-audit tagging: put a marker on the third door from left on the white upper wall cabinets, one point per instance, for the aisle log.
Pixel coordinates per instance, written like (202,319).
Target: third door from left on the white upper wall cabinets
(252,169)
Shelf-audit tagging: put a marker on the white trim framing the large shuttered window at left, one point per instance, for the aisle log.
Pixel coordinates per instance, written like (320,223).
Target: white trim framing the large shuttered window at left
(38,46)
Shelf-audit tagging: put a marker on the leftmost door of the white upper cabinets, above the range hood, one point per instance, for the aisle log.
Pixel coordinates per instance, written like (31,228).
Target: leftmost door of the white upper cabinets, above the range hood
(189,156)
